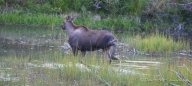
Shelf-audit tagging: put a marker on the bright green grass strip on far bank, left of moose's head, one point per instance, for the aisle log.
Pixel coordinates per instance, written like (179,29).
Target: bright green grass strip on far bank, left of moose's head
(30,19)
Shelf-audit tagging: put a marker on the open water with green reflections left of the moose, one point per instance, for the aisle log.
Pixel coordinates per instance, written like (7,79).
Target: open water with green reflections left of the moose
(24,39)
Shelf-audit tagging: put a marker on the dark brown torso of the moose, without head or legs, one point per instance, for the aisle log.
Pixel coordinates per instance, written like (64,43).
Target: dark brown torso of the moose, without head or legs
(89,40)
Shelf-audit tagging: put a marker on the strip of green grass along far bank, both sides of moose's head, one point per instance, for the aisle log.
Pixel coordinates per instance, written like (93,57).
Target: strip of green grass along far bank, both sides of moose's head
(56,20)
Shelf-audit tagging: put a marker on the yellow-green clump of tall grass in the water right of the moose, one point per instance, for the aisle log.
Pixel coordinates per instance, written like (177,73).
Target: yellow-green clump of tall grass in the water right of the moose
(157,43)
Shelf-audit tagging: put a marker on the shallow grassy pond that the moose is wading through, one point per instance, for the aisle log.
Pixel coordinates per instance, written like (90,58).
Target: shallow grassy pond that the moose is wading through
(34,55)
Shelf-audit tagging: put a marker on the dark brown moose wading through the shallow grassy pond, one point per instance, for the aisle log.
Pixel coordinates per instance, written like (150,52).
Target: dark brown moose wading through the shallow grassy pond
(84,39)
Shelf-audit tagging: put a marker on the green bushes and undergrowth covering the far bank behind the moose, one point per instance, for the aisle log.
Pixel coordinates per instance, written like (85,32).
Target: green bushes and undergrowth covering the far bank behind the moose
(122,14)
